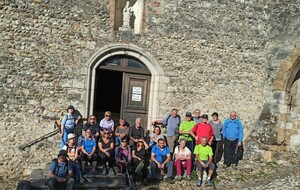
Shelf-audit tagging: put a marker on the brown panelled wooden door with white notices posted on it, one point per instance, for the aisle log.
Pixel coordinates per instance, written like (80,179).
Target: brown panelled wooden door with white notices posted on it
(135,98)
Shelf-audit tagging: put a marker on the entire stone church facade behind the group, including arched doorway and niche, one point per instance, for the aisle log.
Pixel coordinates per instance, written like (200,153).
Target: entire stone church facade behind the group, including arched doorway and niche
(241,55)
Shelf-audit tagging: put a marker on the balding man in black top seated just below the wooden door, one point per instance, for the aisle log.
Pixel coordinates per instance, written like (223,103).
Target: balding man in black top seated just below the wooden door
(136,132)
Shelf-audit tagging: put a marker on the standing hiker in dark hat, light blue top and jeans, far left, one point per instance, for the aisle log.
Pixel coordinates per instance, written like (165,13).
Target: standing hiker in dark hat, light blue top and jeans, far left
(68,125)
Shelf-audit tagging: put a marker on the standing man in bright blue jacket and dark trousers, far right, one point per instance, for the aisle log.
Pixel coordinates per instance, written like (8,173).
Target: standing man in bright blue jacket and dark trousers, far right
(233,137)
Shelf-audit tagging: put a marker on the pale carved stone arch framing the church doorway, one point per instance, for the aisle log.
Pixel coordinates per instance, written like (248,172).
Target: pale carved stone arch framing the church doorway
(158,84)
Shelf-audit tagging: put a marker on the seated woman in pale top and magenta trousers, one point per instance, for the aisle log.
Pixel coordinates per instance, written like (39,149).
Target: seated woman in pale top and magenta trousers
(183,159)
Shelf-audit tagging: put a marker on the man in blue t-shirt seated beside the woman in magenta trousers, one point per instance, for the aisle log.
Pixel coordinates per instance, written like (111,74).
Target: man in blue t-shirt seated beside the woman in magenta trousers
(161,159)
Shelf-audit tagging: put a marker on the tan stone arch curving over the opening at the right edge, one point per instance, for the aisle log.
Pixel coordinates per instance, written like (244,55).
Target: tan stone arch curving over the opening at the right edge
(288,72)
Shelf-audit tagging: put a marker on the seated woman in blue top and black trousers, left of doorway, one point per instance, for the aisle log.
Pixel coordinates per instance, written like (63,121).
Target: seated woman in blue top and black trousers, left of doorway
(88,148)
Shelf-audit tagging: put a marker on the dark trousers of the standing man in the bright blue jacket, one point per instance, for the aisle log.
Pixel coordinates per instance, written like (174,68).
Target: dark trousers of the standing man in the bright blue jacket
(230,156)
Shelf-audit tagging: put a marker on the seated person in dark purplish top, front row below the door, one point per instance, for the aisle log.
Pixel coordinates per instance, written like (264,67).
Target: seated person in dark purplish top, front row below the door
(123,156)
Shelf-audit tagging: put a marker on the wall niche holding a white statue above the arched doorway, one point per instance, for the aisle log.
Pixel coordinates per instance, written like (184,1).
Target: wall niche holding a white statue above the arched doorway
(127,15)
